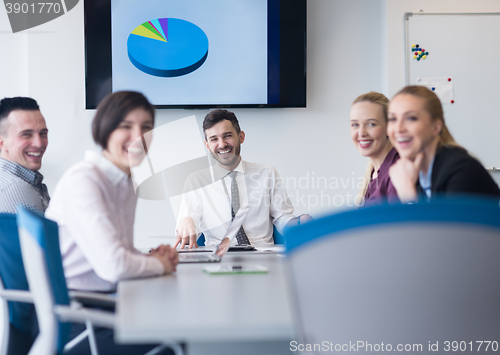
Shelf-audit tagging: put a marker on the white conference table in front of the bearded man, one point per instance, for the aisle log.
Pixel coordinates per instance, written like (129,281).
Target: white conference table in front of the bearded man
(235,313)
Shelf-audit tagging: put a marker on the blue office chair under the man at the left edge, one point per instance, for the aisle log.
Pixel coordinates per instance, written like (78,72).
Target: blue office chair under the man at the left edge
(19,321)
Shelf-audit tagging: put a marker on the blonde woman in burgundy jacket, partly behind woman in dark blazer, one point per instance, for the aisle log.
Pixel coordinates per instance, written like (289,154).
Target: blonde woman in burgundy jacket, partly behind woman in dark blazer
(369,134)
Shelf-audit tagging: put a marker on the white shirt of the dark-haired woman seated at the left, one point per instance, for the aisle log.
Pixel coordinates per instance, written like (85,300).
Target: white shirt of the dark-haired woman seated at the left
(94,206)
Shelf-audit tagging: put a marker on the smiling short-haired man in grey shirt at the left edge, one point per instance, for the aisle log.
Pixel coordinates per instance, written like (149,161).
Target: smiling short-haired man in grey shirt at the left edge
(23,141)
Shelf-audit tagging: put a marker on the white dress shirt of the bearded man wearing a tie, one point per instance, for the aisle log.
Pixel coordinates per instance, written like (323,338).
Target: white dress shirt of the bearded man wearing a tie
(207,200)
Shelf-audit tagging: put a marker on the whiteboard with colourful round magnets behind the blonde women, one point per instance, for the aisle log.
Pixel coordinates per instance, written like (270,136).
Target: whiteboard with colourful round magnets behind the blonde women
(465,48)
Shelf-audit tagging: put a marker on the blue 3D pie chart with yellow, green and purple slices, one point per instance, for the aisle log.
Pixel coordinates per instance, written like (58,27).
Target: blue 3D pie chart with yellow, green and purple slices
(167,47)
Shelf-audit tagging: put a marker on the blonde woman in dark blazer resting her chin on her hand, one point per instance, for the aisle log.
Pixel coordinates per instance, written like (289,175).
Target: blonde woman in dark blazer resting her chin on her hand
(432,164)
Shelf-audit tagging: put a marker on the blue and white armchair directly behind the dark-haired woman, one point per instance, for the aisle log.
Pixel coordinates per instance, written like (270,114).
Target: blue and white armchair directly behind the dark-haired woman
(39,240)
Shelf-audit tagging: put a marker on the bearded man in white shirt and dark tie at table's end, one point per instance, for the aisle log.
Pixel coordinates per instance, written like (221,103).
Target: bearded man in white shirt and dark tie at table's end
(213,197)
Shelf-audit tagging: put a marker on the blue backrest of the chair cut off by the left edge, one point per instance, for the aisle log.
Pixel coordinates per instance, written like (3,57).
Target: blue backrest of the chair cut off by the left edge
(12,274)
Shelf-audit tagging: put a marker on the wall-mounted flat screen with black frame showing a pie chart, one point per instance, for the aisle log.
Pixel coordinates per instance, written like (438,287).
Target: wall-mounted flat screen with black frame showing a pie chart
(197,53)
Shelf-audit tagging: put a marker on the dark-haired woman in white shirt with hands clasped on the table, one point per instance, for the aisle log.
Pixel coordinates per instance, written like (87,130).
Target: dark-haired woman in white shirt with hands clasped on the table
(94,205)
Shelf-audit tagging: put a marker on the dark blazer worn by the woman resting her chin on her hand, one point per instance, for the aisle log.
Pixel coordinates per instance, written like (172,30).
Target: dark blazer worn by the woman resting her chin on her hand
(456,172)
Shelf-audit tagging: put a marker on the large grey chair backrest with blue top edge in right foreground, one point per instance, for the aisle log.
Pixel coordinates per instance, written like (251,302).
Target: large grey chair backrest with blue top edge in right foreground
(401,274)
